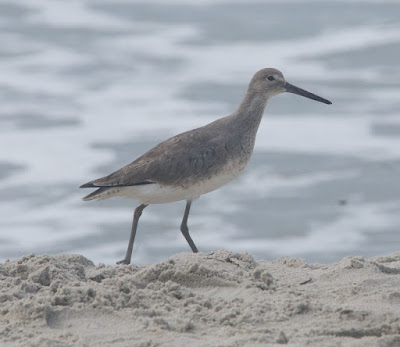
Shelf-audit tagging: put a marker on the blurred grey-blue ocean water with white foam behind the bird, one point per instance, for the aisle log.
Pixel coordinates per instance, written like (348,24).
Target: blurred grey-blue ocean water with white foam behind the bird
(88,86)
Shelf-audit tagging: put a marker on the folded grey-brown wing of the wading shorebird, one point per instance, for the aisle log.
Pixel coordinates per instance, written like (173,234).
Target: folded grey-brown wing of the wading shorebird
(195,154)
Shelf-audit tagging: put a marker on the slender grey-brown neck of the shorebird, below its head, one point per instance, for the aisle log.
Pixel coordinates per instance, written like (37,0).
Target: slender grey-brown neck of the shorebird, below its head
(250,112)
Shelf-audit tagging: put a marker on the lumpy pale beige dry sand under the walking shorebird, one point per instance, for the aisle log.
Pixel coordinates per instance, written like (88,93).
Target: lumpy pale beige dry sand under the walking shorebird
(216,299)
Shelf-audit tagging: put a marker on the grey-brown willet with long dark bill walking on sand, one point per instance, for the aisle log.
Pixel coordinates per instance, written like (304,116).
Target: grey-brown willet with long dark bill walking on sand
(198,161)
